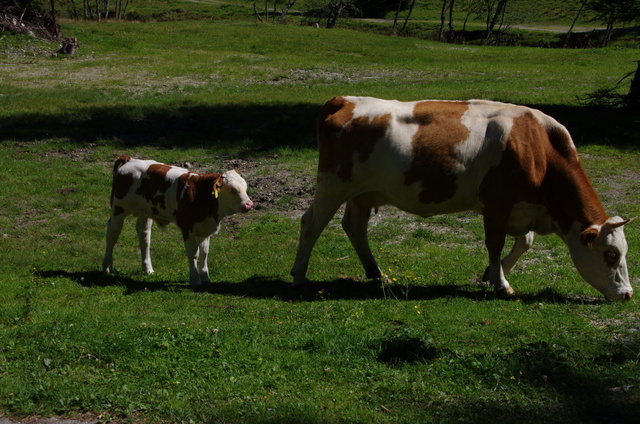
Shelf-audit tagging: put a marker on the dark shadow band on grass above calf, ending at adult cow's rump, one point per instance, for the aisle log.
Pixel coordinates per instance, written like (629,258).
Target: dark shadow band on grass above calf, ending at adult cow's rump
(249,129)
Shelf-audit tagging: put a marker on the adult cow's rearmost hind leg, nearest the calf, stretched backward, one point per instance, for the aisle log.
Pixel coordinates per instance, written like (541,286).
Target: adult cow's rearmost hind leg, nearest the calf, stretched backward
(313,222)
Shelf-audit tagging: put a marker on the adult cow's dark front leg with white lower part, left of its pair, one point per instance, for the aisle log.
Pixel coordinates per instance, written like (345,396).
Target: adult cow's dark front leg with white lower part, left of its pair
(495,235)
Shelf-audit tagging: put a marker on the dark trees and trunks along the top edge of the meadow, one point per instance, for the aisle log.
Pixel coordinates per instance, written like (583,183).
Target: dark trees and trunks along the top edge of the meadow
(499,17)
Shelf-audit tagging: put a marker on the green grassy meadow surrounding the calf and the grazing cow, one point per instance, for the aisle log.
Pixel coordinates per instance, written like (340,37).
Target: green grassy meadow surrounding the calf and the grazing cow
(434,345)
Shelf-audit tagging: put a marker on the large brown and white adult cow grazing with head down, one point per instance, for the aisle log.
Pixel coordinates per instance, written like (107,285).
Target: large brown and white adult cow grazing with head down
(516,166)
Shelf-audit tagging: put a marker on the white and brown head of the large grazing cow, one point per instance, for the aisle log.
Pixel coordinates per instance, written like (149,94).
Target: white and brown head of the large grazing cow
(599,253)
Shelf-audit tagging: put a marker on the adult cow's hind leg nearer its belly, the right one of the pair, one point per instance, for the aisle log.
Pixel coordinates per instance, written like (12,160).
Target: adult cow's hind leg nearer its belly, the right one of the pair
(355,223)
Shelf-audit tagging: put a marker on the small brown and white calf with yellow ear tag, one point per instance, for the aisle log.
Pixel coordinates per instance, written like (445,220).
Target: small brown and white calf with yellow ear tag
(195,202)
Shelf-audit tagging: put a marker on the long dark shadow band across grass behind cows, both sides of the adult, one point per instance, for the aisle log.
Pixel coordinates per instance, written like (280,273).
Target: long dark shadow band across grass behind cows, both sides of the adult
(253,128)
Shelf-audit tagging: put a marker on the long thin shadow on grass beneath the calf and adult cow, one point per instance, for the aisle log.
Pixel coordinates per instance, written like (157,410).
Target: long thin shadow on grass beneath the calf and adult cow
(275,288)
